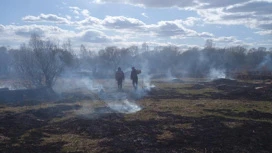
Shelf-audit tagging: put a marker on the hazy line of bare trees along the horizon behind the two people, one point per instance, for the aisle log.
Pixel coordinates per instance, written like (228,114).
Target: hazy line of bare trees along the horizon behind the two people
(41,62)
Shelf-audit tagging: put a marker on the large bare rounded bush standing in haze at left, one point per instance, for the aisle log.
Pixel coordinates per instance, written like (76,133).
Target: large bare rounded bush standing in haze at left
(41,62)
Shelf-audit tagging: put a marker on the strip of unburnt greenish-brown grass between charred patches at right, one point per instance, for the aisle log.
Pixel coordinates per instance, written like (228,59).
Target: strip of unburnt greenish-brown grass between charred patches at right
(204,107)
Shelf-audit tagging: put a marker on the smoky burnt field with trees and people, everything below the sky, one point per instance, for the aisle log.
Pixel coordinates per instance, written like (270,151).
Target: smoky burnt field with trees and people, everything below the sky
(122,100)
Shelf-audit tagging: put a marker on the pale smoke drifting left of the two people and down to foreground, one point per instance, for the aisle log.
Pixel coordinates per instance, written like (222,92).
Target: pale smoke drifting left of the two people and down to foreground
(102,90)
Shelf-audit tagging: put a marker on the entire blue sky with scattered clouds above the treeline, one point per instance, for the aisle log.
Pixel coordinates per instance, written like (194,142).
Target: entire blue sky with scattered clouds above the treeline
(97,24)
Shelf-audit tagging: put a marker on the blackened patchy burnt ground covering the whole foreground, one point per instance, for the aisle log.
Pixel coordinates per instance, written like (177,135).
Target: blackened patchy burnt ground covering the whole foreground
(217,116)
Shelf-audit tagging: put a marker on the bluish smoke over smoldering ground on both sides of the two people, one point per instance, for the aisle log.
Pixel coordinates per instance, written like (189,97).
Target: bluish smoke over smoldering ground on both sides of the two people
(103,92)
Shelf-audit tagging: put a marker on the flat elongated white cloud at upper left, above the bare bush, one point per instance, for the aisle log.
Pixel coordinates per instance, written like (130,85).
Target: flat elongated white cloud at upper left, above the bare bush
(46,18)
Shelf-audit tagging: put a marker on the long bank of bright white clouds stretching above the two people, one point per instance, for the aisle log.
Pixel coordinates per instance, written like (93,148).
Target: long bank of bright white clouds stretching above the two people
(134,28)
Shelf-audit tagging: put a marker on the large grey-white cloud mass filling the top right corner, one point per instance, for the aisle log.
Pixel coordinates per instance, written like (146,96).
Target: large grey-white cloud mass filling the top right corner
(225,12)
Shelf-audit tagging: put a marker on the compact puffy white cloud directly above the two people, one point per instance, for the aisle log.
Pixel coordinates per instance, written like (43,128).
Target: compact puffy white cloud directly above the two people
(121,22)
